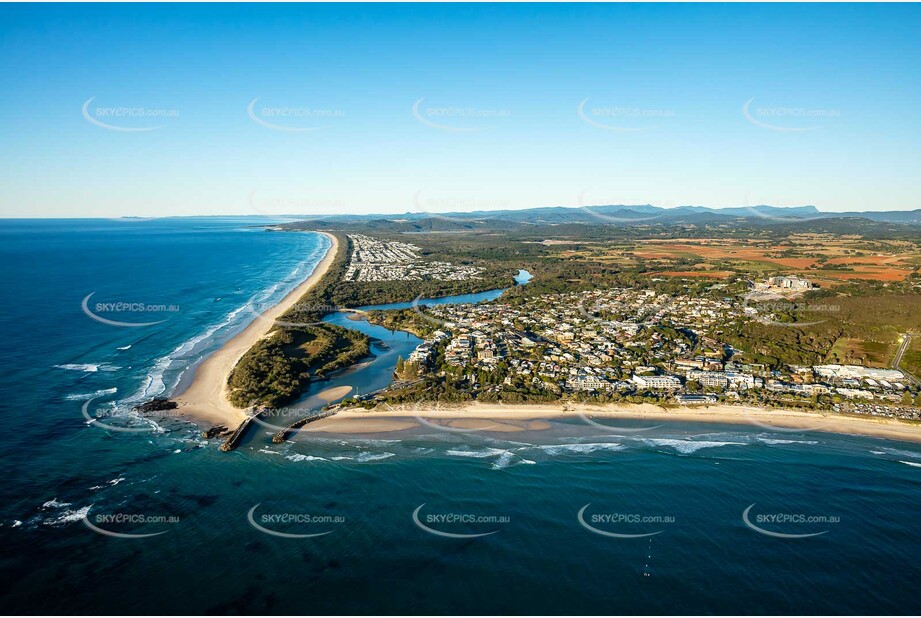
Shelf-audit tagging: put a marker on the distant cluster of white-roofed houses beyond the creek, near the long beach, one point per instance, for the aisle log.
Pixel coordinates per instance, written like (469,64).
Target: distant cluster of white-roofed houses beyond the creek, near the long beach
(372,259)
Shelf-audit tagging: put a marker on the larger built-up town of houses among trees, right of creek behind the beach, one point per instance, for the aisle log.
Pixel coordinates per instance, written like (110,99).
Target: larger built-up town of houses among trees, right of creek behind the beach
(630,344)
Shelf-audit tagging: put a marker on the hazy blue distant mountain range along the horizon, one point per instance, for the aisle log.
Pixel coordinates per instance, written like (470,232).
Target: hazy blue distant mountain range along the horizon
(634,214)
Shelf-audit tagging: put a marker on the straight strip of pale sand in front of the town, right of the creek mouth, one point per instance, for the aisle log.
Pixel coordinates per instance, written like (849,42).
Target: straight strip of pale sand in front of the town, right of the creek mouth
(496,418)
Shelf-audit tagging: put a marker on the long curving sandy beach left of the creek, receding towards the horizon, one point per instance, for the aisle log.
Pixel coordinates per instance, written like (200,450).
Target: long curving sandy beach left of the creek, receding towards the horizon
(205,400)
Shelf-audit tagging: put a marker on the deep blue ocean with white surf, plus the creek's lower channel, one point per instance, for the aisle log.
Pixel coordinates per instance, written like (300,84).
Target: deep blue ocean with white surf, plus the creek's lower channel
(568,517)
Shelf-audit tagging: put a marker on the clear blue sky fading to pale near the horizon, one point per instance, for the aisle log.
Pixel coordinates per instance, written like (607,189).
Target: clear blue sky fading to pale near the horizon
(263,109)
